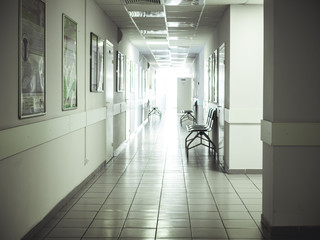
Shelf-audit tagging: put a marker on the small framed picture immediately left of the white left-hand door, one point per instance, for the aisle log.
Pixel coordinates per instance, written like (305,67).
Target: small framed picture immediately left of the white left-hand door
(96,63)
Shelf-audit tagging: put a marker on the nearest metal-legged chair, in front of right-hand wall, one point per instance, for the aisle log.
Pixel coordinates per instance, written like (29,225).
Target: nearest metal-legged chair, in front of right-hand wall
(201,132)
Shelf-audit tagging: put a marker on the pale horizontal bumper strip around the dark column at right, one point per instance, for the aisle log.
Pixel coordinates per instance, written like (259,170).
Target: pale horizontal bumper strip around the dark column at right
(290,133)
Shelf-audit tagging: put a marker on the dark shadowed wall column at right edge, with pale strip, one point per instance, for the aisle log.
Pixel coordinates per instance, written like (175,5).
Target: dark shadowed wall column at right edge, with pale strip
(290,128)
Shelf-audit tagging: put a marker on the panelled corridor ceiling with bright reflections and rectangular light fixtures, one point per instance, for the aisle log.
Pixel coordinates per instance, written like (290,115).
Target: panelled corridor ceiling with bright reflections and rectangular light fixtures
(169,33)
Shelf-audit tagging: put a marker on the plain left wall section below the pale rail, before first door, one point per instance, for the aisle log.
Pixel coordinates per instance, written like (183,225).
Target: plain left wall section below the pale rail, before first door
(33,181)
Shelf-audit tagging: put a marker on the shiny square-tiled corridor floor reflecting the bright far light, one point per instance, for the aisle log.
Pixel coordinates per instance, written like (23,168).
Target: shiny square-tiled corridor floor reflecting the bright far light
(151,191)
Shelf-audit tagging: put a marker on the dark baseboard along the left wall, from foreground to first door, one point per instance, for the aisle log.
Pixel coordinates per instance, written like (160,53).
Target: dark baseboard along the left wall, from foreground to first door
(30,235)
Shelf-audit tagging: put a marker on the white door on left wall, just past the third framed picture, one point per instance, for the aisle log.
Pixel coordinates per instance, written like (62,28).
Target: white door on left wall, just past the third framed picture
(109,100)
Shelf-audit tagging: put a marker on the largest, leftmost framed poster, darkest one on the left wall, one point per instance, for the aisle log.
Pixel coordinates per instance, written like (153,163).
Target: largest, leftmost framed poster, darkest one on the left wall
(32,58)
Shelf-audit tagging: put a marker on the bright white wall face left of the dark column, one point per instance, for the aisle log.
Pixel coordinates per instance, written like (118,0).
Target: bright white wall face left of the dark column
(244,113)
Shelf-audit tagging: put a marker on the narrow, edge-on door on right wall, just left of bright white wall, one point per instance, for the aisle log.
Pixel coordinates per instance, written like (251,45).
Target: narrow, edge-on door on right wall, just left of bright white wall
(221,96)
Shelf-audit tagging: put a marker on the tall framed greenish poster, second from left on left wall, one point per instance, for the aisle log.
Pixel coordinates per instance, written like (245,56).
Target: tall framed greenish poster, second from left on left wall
(69,63)
